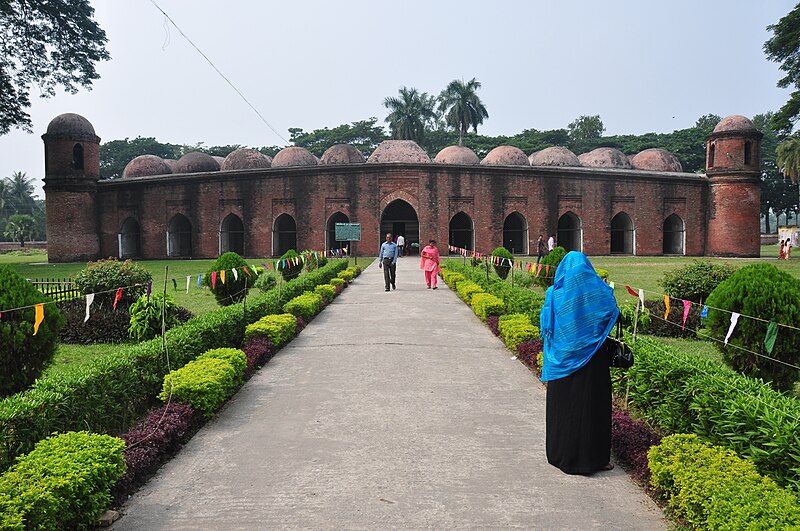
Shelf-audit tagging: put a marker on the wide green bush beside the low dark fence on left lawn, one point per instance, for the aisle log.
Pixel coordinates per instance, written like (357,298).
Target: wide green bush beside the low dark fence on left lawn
(104,277)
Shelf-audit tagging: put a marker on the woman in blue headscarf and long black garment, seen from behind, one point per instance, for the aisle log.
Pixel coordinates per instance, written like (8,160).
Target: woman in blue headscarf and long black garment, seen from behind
(579,312)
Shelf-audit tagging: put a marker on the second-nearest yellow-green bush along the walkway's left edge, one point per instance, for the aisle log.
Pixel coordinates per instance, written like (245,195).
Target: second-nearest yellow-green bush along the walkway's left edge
(205,384)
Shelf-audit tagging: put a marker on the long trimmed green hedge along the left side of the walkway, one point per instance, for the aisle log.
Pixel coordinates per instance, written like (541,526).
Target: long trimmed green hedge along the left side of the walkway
(115,389)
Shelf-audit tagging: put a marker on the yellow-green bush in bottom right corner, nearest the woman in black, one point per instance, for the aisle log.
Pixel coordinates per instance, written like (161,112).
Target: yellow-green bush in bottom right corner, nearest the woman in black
(713,488)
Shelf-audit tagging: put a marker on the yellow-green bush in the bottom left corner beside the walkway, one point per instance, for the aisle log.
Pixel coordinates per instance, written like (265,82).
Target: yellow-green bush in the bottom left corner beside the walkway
(64,483)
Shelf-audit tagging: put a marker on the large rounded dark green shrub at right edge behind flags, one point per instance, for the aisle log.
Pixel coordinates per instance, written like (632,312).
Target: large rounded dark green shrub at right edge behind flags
(765,292)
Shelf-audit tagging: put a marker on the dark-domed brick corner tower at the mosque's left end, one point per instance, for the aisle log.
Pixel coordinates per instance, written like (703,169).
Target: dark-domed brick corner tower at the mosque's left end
(72,169)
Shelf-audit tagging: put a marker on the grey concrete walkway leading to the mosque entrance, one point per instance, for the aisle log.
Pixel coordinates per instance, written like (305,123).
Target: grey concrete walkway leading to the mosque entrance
(390,410)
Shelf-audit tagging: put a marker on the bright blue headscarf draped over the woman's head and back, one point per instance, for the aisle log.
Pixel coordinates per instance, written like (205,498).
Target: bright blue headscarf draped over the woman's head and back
(579,312)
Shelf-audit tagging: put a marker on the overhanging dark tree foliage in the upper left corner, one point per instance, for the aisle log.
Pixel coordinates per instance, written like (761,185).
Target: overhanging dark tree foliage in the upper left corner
(47,44)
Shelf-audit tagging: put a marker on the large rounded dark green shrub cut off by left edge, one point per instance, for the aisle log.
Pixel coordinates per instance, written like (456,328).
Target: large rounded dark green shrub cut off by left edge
(23,356)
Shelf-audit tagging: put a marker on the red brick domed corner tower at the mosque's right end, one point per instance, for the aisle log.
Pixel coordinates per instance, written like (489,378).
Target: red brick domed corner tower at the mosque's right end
(733,167)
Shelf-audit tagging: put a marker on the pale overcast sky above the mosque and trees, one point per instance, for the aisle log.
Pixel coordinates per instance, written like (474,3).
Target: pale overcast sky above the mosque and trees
(642,65)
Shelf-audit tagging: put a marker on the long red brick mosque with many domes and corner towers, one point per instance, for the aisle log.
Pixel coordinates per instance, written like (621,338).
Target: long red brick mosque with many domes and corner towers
(601,203)
